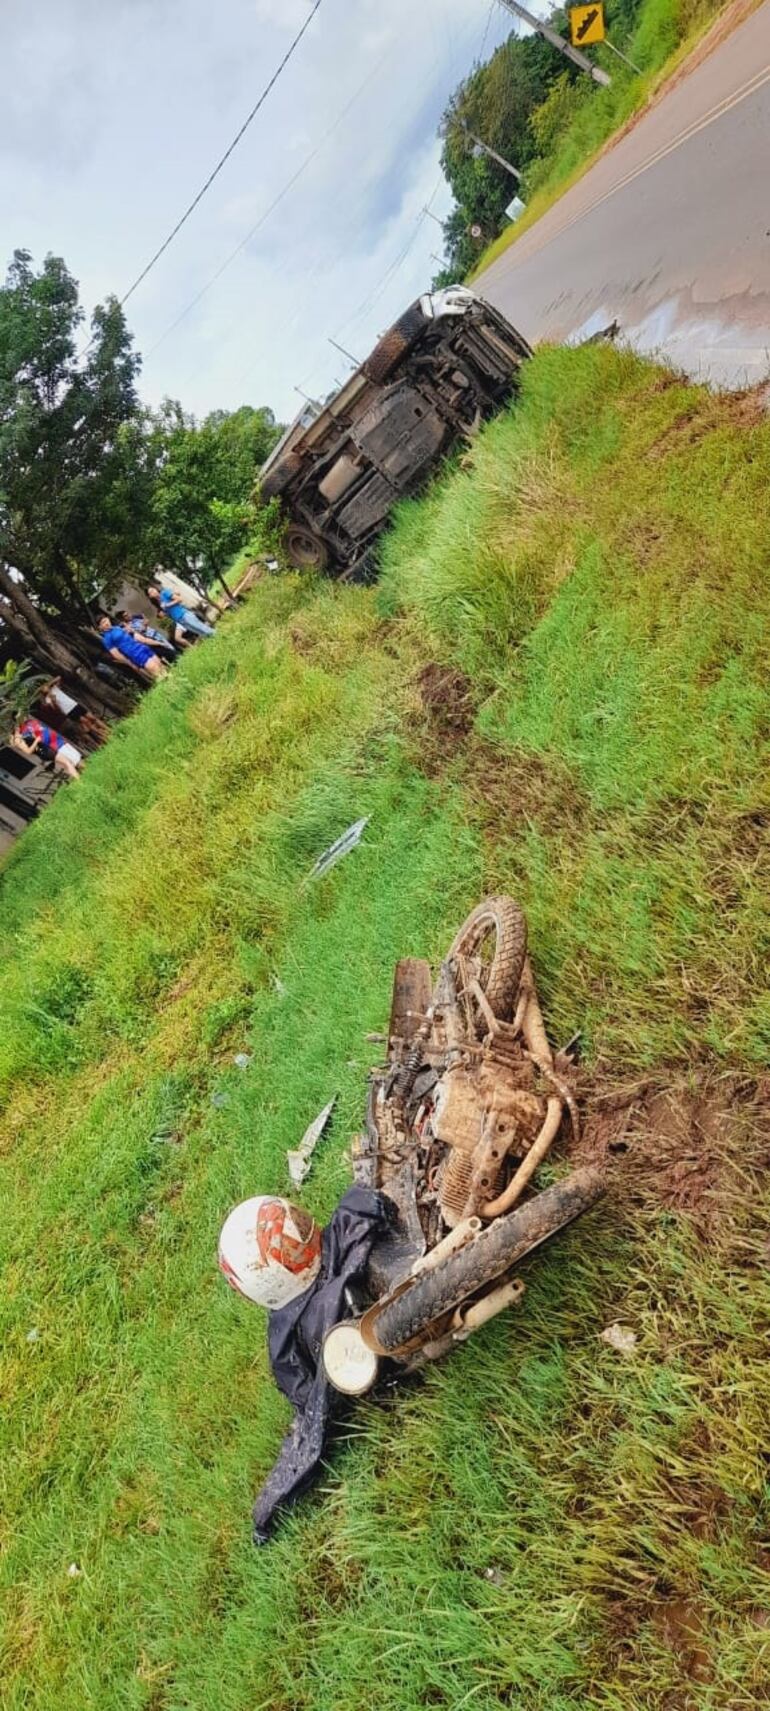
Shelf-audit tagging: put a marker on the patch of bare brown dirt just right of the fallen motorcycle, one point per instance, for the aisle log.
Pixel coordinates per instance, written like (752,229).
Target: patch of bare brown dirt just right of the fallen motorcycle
(687,1146)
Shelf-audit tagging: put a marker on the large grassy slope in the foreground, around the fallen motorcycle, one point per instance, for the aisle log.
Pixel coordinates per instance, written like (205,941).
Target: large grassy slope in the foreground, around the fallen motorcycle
(542,1522)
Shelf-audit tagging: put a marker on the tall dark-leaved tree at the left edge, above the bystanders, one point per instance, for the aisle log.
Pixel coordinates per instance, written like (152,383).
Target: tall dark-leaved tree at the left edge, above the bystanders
(64,524)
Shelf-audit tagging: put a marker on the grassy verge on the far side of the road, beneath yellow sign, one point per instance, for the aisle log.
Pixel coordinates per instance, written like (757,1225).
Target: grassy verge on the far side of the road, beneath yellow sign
(584,117)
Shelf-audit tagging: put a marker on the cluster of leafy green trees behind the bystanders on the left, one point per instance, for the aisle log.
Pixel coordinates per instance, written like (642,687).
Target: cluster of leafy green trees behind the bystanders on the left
(93,485)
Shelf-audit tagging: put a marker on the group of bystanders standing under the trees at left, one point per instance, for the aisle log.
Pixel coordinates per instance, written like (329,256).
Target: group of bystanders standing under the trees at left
(136,646)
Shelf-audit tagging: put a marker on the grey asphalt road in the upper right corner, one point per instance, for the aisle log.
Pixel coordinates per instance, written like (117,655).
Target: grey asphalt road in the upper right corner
(670,232)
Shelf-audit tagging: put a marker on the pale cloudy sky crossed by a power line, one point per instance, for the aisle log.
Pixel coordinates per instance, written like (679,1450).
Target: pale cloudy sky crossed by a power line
(117,110)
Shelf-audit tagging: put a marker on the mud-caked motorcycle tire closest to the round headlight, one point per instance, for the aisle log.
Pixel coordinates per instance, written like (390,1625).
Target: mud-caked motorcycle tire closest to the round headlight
(500,1246)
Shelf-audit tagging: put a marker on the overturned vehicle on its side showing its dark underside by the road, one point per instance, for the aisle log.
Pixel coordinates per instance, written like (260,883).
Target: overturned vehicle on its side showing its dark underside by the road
(444,367)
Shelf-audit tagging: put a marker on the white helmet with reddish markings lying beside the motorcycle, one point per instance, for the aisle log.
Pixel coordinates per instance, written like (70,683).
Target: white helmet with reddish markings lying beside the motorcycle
(269,1250)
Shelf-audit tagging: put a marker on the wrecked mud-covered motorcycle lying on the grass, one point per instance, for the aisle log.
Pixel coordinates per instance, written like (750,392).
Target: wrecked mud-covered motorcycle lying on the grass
(461,1116)
